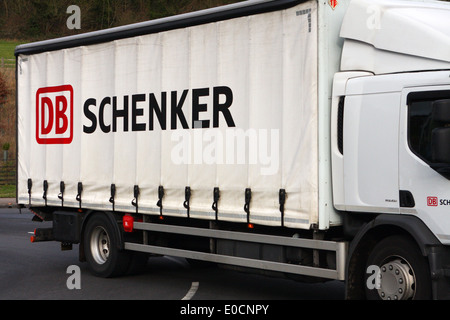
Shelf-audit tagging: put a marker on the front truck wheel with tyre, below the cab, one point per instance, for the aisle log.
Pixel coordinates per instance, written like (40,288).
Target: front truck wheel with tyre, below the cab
(404,272)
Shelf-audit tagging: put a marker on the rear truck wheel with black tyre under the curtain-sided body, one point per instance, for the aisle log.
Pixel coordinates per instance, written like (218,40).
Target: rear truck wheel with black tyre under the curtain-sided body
(101,243)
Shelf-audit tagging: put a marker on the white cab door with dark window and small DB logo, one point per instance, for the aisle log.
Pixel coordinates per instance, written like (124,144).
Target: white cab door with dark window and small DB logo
(424,179)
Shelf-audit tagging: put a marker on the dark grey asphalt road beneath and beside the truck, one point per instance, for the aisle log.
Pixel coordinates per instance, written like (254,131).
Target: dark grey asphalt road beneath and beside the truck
(31,271)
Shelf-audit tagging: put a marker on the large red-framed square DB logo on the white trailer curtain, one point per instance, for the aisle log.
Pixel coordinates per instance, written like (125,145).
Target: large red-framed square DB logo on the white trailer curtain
(54,115)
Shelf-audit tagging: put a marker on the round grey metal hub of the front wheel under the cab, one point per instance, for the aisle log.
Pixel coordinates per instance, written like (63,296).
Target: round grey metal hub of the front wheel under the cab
(397,280)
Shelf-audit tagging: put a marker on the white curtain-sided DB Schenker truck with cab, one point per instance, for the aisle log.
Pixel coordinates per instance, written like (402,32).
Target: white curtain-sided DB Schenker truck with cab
(301,138)
